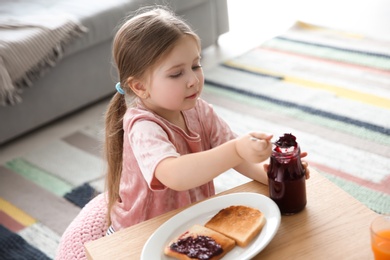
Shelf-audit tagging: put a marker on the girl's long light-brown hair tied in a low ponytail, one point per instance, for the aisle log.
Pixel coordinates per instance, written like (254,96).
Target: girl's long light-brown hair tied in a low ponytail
(138,45)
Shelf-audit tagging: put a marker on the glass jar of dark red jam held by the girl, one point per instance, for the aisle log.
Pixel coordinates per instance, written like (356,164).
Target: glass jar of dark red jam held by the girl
(286,176)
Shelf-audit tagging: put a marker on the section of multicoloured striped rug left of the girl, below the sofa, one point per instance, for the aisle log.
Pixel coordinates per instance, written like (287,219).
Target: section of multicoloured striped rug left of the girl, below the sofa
(43,191)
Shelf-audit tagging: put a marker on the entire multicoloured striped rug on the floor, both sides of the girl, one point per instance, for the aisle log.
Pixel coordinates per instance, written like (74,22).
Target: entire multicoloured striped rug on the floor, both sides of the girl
(329,88)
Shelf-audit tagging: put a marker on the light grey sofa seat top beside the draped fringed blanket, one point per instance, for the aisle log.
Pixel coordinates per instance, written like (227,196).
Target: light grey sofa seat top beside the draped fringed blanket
(100,17)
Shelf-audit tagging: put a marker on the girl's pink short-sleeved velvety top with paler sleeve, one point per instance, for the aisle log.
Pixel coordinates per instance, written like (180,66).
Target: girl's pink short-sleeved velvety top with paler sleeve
(148,139)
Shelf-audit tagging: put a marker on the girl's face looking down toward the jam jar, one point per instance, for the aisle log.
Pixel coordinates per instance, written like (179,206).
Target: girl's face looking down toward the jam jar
(177,81)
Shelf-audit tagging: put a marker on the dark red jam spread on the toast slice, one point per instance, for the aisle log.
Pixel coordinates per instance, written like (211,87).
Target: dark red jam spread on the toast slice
(200,247)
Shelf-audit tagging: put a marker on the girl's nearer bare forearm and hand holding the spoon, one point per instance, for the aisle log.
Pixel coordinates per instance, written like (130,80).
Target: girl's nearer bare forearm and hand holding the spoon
(193,170)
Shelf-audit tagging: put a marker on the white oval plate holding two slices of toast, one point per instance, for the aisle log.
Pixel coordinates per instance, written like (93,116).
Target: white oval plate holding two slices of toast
(204,211)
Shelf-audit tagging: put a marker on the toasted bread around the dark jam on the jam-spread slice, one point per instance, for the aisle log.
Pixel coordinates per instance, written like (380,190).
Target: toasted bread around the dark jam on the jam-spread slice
(196,231)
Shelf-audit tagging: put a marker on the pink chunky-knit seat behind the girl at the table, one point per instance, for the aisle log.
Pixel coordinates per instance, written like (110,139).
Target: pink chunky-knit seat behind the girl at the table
(90,224)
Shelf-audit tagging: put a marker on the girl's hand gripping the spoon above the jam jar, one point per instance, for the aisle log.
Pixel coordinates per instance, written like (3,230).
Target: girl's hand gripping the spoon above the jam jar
(254,147)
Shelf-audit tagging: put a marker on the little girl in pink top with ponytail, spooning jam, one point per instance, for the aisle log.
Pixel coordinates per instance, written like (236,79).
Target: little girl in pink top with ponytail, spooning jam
(164,144)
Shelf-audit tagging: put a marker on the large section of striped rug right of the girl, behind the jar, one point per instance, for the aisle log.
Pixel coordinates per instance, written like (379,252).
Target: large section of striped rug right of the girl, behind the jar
(329,88)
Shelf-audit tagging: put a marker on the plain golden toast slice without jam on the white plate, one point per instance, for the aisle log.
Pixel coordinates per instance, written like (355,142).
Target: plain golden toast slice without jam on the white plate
(241,223)
